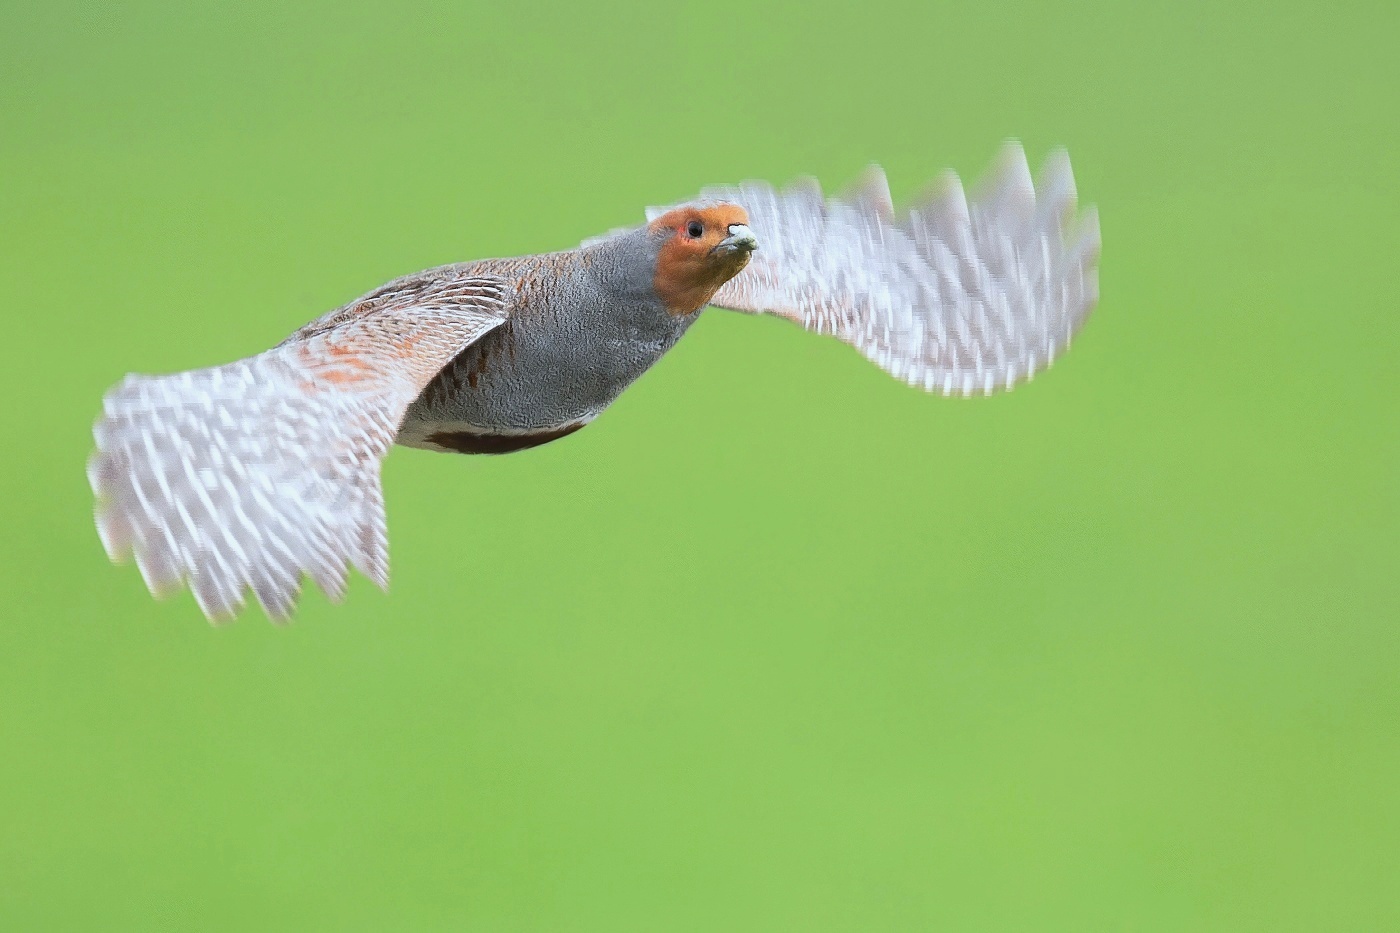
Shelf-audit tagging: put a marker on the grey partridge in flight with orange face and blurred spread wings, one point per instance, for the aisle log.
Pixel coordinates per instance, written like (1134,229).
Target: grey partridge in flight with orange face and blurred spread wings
(251,476)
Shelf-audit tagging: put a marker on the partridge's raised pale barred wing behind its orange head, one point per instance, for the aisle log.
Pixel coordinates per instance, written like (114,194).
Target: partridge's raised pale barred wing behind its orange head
(951,295)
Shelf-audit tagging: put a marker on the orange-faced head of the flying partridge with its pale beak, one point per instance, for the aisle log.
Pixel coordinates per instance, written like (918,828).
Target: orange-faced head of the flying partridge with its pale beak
(702,247)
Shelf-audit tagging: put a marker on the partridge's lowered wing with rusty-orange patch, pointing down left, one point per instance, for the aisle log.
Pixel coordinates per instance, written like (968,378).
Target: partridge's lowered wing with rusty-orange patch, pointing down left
(251,474)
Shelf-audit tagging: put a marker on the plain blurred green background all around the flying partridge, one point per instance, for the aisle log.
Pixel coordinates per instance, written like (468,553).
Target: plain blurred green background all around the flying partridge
(779,644)
